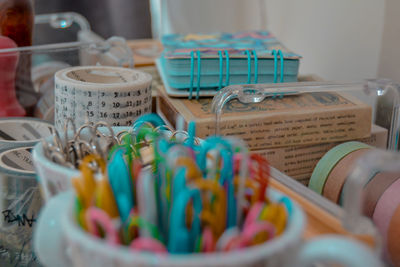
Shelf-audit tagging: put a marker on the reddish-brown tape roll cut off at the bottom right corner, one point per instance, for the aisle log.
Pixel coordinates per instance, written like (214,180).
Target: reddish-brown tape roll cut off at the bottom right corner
(393,243)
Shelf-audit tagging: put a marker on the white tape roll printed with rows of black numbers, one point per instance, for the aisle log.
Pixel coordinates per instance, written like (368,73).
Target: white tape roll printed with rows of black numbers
(99,93)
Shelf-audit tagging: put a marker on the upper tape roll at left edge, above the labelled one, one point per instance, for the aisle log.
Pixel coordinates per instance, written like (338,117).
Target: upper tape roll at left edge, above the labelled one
(17,132)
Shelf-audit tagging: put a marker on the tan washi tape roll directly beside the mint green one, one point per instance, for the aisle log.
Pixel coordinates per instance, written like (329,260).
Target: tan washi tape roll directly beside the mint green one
(337,177)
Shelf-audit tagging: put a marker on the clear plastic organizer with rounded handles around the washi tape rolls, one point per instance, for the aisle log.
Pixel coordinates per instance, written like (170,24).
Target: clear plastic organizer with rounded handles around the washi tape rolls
(383,97)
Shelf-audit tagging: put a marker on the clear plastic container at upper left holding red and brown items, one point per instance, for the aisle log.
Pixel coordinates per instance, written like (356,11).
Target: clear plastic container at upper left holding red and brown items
(60,40)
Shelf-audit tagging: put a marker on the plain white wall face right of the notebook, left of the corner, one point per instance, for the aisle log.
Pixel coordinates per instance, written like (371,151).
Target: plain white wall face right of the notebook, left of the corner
(339,40)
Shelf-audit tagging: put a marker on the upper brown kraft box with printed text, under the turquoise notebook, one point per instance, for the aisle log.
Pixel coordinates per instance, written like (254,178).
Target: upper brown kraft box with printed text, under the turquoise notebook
(304,119)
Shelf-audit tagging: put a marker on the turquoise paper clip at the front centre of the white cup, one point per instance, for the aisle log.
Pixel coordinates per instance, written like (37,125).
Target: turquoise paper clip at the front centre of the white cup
(181,239)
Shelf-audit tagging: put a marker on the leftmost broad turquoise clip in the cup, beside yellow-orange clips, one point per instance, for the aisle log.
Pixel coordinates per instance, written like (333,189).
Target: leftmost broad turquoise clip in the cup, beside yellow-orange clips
(120,181)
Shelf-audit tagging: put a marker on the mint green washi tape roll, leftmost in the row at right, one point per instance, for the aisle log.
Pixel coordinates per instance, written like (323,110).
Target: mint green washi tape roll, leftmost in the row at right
(329,161)
